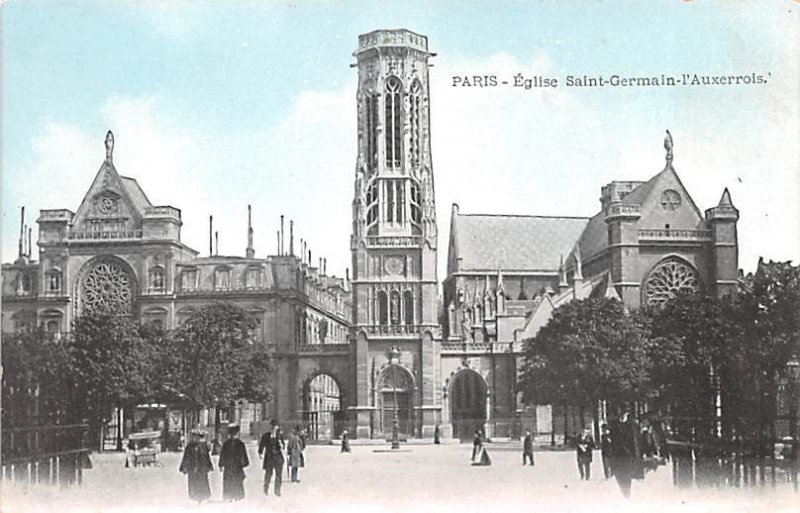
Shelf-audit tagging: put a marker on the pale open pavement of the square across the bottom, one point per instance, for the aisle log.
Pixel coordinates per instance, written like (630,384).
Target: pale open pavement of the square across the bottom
(419,478)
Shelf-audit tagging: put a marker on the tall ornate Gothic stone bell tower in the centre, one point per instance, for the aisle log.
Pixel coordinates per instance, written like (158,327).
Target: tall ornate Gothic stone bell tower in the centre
(394,238)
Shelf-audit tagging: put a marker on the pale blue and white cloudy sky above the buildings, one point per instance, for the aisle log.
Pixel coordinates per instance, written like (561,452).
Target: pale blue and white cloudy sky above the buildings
(216,105)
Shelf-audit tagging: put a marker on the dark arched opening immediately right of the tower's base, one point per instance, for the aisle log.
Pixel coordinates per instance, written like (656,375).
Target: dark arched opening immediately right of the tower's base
(467,404)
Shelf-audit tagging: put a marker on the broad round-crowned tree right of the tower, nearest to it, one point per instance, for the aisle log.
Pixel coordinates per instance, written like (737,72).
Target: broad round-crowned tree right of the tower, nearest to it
(590,350)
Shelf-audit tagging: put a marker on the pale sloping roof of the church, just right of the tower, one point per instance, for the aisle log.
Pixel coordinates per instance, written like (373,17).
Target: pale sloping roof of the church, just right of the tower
(536,243)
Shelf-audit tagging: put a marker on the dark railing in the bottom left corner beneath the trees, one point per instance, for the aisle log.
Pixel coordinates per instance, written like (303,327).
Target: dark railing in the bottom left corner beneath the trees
(45,454)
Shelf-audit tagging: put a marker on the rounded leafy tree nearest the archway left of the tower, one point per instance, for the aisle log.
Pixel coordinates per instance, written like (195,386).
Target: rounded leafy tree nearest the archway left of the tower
(214,359)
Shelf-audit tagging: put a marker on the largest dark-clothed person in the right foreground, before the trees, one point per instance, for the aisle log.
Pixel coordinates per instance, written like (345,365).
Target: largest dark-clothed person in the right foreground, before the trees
(626,456)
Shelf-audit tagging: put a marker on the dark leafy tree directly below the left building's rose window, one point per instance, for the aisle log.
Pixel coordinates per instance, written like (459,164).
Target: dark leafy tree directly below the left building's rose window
(106,368)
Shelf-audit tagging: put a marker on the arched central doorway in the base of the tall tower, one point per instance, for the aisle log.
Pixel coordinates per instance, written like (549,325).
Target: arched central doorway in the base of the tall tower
(395,398)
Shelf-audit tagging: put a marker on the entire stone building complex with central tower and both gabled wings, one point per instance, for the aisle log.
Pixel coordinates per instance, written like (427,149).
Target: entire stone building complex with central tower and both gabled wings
(388,351)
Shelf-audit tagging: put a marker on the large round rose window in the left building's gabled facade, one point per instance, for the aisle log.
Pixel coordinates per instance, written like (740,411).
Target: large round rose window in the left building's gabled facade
(106,287)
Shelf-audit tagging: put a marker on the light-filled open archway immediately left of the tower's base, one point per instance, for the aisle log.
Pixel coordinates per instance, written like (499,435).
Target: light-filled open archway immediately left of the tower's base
(322,405)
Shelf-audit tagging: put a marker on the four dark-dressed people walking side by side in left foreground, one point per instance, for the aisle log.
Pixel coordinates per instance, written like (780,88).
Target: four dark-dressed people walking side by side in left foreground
(196,461)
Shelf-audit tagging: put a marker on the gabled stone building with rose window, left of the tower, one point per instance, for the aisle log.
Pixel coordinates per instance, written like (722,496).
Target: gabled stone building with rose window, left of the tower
(118,249)
